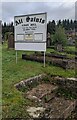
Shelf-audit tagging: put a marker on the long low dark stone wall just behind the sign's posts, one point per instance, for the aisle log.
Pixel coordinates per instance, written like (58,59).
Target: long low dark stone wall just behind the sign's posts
(57,60)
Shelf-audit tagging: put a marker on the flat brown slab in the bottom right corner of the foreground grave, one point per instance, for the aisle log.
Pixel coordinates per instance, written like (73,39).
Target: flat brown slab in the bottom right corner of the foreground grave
(59,108)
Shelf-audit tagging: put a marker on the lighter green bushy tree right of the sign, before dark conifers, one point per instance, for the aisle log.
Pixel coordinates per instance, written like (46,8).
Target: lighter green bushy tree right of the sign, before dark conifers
(60,37)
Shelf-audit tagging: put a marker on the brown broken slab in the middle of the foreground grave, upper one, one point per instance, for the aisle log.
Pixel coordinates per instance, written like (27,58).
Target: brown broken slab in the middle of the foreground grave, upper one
(41,92)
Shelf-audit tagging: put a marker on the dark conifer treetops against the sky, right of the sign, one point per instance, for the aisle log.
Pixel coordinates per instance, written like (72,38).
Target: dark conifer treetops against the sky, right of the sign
(65,23)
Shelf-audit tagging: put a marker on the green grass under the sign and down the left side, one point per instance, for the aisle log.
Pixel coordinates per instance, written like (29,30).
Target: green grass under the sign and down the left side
(14,104)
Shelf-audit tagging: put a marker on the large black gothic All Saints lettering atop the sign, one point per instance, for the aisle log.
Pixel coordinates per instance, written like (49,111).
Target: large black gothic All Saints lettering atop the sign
(30,19)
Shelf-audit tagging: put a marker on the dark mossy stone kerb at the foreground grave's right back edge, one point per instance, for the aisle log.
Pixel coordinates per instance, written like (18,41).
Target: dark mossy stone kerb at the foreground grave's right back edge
(66,83)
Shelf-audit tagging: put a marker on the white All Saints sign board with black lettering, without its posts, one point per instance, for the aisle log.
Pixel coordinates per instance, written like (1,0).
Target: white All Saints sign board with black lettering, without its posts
(30,32)
